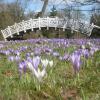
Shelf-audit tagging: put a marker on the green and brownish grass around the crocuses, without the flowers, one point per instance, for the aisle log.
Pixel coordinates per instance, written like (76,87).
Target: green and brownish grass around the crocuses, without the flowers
(60,83)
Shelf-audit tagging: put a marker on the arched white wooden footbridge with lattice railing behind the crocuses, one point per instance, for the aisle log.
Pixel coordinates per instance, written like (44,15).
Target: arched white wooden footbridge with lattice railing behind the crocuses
(75,25)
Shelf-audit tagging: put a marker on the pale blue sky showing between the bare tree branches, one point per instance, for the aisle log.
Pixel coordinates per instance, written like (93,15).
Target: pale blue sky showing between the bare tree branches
(36,5)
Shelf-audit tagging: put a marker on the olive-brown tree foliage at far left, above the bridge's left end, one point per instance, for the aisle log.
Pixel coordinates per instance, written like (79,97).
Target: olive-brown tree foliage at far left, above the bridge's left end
(10,13)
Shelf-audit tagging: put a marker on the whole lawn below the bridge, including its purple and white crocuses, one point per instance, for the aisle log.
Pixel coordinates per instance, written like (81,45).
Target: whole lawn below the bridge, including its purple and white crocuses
(50,69)
